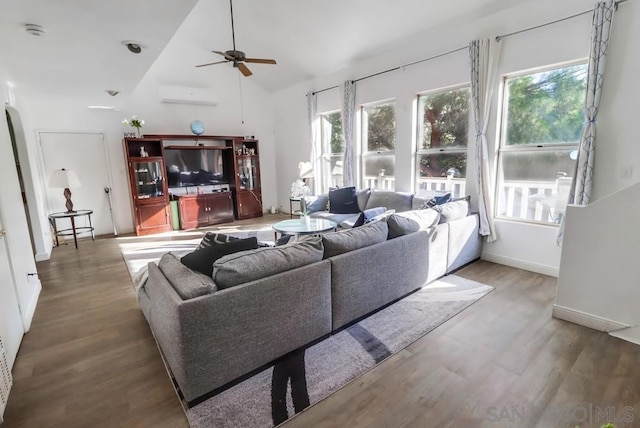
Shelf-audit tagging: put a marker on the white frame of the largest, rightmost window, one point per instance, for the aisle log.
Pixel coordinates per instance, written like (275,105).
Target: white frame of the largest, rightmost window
(503,148)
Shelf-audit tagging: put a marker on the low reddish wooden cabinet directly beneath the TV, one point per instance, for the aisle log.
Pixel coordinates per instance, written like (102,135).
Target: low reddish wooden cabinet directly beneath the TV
(205,209)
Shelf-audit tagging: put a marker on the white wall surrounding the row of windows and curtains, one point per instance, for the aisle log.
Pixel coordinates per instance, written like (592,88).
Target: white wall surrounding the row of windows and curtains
(554,44)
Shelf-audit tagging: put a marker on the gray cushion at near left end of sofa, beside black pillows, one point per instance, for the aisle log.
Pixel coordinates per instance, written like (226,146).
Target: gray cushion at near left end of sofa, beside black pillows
(187,283)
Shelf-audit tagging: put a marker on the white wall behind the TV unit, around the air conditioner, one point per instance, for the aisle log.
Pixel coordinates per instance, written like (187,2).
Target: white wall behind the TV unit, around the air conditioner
(250,115)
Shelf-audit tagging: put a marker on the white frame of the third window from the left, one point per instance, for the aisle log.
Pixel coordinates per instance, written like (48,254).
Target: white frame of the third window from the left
(441,150)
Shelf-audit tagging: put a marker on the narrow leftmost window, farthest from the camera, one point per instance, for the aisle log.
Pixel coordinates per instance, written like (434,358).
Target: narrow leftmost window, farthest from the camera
(332,150)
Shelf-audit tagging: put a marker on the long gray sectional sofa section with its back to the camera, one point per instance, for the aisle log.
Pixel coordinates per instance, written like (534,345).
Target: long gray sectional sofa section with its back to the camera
(262,304)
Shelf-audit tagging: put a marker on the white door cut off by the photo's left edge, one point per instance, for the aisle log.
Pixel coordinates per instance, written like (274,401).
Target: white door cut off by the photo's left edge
(11,328)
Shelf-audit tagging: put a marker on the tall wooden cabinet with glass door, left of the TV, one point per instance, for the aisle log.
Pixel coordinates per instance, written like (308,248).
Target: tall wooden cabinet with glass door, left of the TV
(148,185)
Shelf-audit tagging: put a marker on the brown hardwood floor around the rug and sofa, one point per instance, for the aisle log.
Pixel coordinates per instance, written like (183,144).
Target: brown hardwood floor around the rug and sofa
(90,361)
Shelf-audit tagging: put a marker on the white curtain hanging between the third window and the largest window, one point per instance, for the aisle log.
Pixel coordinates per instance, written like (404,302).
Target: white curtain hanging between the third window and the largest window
(484,63)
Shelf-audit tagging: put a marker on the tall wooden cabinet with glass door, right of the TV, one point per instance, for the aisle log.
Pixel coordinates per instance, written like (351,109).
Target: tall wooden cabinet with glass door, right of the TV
(247,183)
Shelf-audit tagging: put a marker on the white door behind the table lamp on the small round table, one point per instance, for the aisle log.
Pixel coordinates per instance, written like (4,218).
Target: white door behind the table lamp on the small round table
(85,154)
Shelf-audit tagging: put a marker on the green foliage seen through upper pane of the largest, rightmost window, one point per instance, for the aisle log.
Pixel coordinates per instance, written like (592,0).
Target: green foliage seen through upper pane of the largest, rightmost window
(546,107)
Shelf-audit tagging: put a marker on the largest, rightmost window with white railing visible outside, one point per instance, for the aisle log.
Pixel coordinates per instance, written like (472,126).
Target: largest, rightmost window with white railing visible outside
(543,114)
